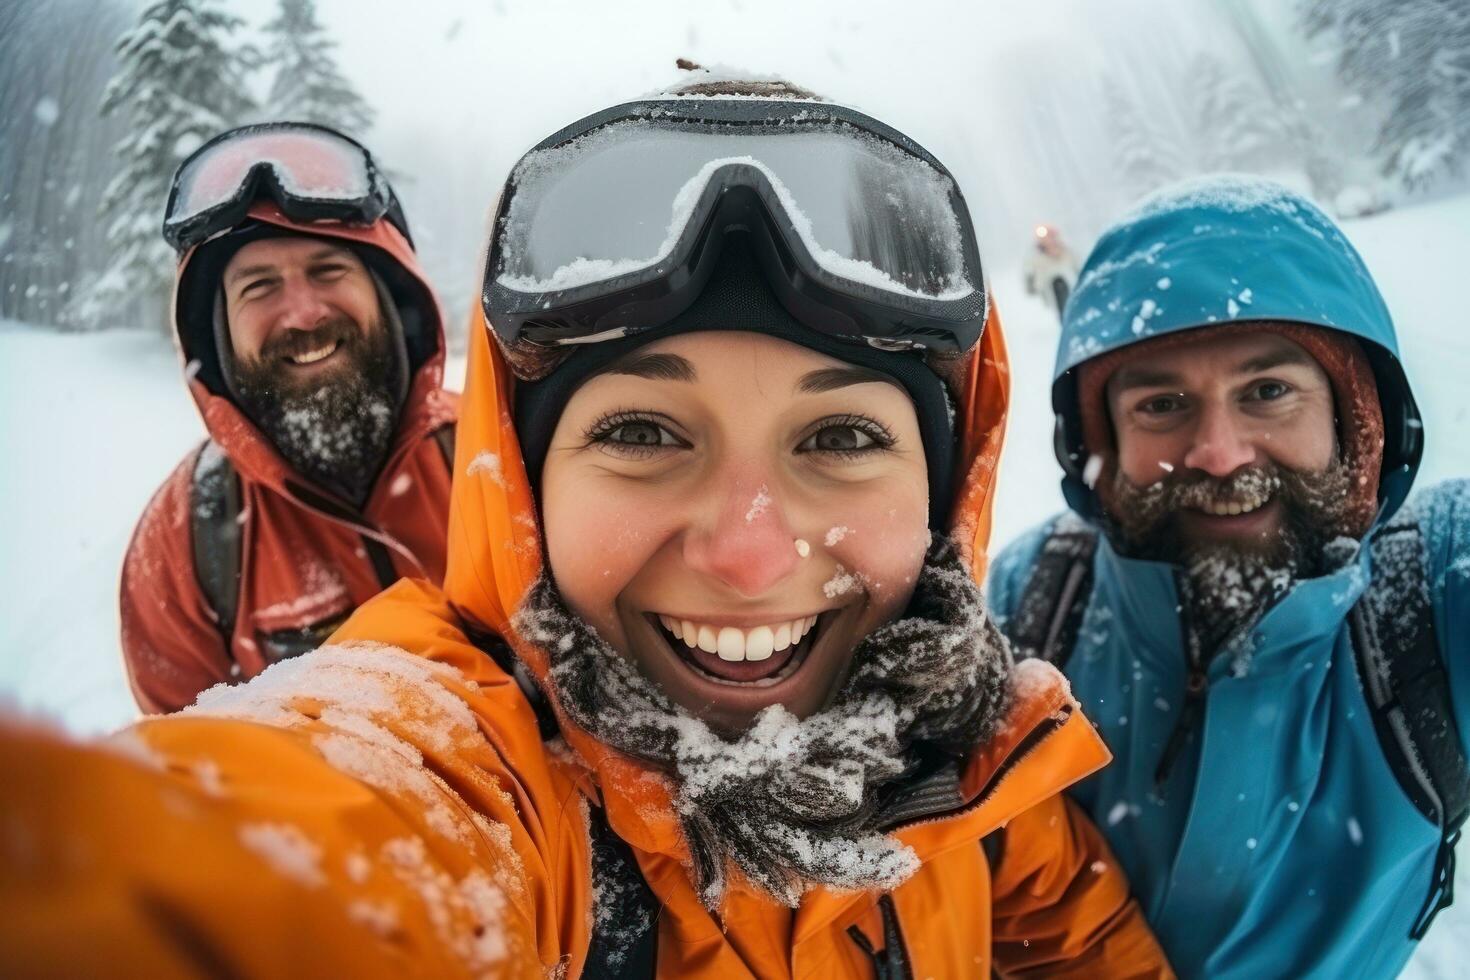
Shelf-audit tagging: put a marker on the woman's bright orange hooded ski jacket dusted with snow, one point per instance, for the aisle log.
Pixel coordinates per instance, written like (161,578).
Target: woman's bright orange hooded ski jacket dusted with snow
(389,806)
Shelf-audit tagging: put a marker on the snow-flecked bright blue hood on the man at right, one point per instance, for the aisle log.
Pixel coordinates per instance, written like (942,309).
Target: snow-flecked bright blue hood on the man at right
(1219,251)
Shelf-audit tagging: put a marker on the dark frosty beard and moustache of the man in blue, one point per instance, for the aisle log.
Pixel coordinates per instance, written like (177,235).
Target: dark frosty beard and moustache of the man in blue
(1228,587)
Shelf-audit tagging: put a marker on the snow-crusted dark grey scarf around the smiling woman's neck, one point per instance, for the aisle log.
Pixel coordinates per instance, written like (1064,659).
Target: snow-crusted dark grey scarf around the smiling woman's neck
(796,803)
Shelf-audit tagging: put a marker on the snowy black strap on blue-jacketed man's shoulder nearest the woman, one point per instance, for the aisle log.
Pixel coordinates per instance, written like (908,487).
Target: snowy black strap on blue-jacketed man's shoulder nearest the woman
(1049,618)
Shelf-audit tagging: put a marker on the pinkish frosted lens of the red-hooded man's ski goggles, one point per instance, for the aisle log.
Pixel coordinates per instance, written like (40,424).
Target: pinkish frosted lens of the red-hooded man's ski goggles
(306,165)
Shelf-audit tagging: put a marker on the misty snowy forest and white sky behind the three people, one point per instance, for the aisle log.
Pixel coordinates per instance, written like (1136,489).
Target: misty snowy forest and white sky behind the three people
(1046,111)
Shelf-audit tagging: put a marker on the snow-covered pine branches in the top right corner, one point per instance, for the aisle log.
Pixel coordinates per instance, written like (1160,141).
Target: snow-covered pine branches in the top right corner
(1415,57)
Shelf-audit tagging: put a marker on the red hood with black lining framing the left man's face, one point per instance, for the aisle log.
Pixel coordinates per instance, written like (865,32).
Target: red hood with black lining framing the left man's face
(384,249)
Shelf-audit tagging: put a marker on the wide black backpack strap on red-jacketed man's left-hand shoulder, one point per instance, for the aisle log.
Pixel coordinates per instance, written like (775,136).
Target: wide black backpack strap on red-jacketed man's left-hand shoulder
(215,536)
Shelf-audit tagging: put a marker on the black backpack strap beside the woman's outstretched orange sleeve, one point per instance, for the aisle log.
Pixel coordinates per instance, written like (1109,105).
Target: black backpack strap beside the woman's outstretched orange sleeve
(625,915)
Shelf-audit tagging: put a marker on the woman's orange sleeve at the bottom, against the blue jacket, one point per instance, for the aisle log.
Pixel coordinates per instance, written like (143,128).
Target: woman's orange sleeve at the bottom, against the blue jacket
(1062,904)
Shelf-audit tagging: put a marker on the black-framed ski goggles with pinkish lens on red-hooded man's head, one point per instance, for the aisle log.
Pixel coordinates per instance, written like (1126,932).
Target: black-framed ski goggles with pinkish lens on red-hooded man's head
(312,173)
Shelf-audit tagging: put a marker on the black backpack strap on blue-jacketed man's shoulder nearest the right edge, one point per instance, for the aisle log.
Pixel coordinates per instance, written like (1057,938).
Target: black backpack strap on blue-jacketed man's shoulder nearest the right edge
(1403,675)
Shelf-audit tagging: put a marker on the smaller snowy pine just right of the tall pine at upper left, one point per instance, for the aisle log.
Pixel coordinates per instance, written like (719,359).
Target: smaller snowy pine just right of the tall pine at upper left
(308,84)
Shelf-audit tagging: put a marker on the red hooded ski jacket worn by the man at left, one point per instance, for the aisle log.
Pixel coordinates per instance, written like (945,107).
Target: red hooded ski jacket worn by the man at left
(306,559)
